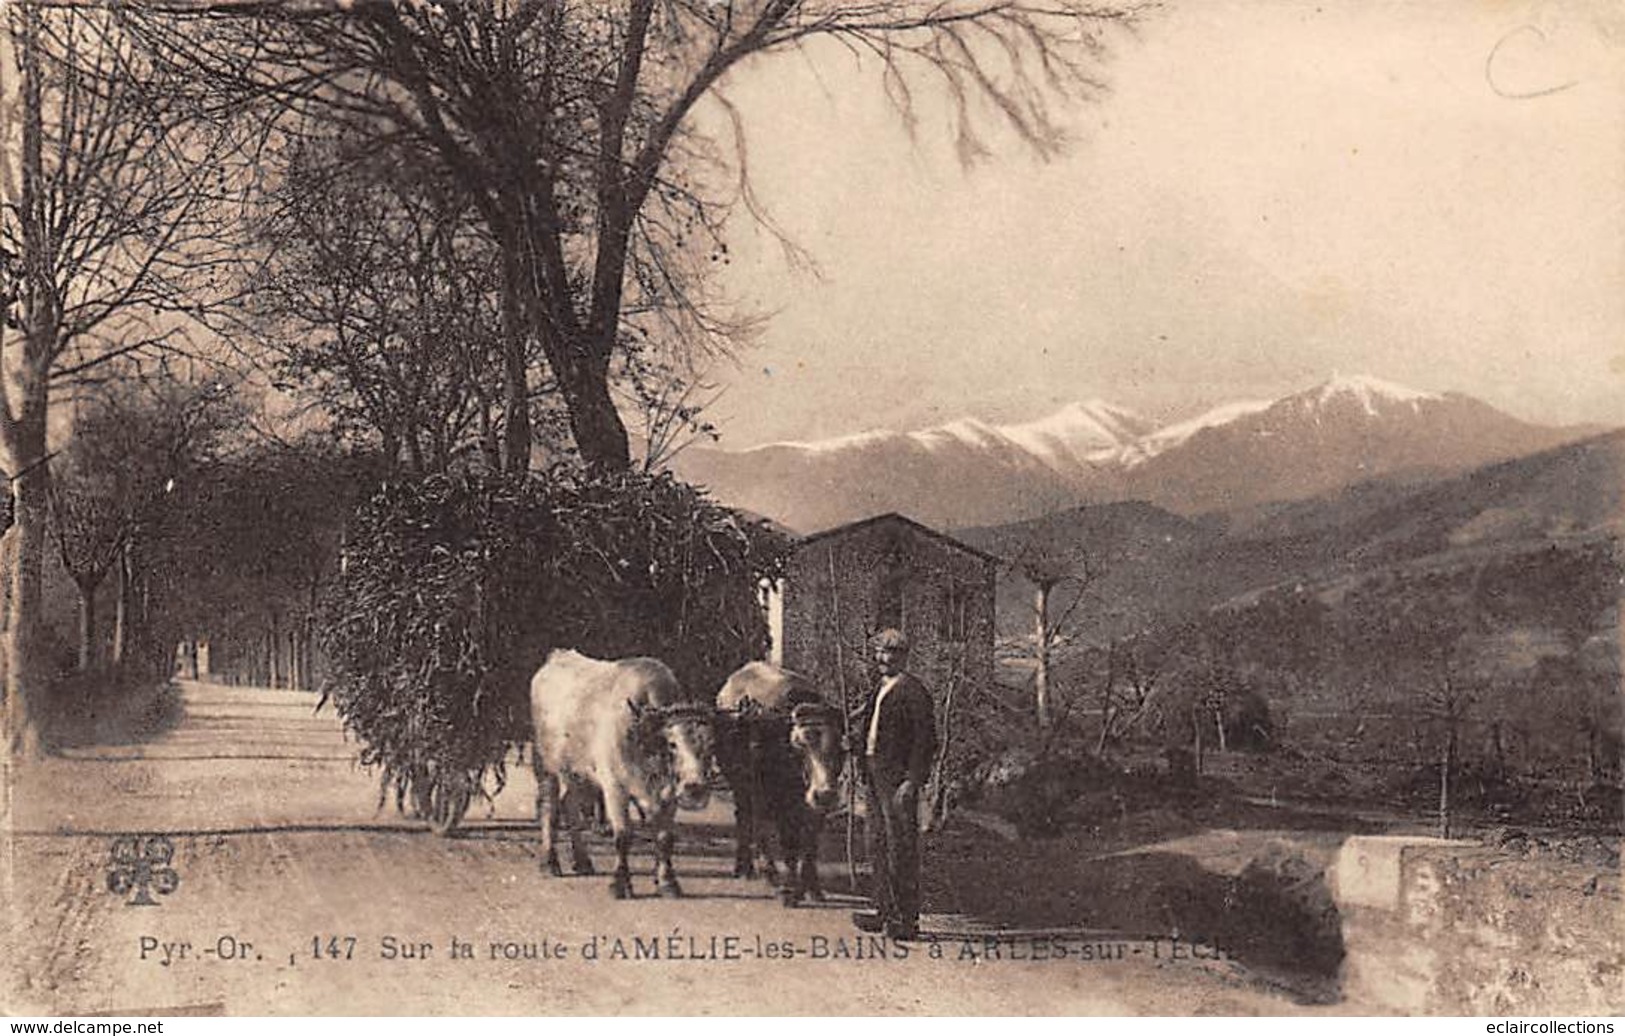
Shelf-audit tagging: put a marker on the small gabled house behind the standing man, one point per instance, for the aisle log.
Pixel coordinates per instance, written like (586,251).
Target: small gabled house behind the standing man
(847,584)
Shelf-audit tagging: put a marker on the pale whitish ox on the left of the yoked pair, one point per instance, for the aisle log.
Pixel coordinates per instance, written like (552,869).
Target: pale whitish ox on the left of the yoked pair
(625,730)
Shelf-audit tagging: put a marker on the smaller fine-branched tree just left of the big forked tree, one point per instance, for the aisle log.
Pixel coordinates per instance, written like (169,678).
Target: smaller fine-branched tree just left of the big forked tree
(381,306)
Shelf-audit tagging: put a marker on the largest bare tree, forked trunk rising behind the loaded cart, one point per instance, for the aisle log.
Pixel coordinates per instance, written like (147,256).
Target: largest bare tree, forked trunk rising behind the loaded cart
(568,124)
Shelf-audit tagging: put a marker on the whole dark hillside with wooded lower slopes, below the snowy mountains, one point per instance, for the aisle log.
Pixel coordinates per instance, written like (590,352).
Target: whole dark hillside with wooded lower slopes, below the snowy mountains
(1361,632)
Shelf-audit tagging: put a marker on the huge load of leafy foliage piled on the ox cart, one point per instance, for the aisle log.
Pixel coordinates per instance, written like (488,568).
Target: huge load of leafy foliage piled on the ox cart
(454,589)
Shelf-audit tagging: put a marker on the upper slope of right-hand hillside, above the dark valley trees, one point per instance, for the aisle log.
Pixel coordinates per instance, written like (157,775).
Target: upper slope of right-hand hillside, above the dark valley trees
(1153,569)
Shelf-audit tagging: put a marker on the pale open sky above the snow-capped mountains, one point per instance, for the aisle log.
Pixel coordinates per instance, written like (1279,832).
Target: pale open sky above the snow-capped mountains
(1431,194)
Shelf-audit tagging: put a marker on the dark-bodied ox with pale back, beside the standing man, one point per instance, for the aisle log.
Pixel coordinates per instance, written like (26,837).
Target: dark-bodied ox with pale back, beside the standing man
(781,749)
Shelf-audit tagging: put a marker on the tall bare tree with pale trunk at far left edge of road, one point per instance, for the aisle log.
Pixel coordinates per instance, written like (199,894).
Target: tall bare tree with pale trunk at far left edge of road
(108,227)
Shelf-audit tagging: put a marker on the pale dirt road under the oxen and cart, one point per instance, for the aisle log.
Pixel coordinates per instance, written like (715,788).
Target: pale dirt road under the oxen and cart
(297,896)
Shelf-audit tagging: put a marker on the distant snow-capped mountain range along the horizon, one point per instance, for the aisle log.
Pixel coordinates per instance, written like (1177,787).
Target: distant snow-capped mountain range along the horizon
(969,472)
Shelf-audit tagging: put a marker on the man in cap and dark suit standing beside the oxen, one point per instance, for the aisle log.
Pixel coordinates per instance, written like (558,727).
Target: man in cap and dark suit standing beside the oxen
(898,732)
